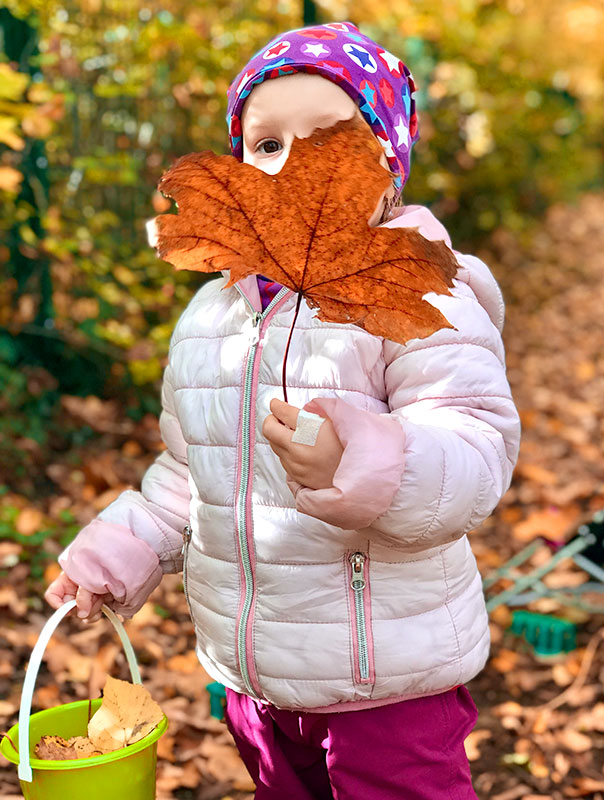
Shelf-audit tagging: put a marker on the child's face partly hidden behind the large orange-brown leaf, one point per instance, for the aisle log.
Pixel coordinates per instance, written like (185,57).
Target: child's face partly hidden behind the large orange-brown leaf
(293,106)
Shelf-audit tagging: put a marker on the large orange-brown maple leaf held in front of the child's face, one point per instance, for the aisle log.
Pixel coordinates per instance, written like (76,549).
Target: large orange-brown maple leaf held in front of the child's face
(306,228)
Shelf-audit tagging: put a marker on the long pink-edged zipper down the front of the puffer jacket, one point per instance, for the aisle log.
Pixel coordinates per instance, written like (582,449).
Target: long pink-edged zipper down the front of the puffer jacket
(244,503)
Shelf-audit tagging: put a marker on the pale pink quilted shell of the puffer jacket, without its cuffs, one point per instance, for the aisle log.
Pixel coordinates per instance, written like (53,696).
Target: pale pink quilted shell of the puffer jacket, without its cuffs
(425,620)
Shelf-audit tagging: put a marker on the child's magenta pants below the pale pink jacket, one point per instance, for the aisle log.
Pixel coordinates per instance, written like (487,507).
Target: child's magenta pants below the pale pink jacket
(412,750)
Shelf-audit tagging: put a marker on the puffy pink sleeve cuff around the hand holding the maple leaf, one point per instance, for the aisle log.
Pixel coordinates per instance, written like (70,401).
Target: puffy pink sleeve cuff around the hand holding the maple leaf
(369,473)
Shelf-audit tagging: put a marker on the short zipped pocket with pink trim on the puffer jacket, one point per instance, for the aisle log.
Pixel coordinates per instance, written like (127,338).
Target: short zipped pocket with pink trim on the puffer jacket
(360,613)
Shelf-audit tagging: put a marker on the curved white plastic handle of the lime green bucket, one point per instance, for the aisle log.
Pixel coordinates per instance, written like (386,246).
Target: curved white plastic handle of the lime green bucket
(24,770)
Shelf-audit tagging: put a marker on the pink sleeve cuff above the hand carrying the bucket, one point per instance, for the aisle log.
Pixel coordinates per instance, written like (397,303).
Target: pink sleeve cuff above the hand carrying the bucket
(109,558)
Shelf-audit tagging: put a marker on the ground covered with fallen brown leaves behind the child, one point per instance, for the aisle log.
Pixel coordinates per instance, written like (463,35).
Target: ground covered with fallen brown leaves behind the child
(540,734)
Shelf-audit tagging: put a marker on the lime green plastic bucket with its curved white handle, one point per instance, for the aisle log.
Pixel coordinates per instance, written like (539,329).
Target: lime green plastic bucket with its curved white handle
(126,774)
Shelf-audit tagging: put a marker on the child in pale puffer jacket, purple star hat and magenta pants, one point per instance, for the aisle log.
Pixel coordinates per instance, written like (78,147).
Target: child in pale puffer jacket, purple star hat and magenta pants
(332,585)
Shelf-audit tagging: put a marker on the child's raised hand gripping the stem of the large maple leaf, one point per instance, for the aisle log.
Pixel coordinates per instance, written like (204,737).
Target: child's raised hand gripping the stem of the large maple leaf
(314,466)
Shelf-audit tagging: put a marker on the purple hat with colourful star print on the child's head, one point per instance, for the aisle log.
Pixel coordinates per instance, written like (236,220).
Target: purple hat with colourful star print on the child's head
(377,81)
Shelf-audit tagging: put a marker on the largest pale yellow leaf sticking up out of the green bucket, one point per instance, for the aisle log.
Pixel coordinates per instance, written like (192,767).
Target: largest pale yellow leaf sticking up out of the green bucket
(127,714)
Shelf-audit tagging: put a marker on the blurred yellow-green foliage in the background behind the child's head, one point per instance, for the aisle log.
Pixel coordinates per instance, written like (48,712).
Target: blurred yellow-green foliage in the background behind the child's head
(97,98)
